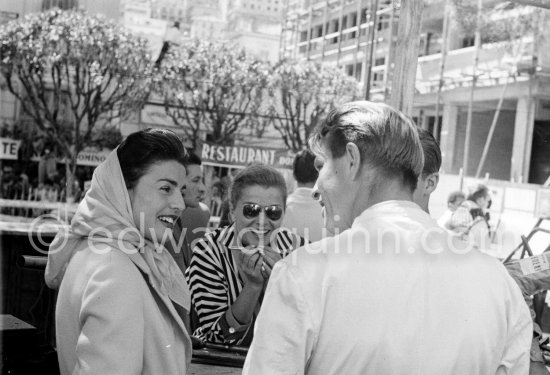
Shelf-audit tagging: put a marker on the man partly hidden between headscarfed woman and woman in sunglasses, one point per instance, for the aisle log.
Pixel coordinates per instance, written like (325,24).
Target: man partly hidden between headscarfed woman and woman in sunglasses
(193,221)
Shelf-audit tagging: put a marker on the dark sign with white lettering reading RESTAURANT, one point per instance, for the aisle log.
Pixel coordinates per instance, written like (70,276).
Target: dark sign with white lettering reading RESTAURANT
(241,156)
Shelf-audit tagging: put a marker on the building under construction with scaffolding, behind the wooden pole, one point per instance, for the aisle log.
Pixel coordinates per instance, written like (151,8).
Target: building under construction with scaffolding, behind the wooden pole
(493,90)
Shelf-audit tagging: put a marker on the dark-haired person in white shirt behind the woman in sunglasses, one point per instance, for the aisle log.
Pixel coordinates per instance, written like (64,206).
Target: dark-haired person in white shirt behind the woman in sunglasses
(303,214)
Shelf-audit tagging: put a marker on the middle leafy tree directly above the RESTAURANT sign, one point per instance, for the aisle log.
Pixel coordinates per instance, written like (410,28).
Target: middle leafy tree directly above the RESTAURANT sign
(211,87)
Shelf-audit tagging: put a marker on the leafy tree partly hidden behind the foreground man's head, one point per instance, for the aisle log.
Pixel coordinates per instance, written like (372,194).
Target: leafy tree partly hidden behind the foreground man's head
(301,96)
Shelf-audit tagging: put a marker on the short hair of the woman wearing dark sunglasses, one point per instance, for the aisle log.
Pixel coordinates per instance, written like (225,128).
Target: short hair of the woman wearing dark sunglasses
(257,174)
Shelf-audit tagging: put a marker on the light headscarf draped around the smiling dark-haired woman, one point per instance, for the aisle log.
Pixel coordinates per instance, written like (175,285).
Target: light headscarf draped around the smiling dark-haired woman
(104,219)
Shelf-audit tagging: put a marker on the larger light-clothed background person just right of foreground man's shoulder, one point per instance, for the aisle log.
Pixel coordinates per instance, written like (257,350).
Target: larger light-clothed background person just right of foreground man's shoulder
(470,219)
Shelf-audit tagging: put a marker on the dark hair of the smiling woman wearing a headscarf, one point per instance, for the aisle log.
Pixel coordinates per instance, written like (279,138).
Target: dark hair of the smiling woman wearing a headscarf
(146,147)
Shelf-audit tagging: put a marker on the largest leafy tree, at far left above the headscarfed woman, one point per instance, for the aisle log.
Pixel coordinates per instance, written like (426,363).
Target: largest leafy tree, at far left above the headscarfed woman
(72,71)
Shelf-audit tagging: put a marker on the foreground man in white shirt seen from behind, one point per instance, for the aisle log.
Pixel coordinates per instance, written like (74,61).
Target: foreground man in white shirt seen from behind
(391,292)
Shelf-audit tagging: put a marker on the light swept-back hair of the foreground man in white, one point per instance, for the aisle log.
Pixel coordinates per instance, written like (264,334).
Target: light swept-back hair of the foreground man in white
(387,139)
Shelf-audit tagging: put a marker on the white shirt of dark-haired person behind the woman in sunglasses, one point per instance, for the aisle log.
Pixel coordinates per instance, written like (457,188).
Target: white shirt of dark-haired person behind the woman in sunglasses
(303,215)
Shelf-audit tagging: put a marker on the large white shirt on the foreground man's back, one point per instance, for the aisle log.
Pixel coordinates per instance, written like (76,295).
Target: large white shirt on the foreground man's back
(390,296)
